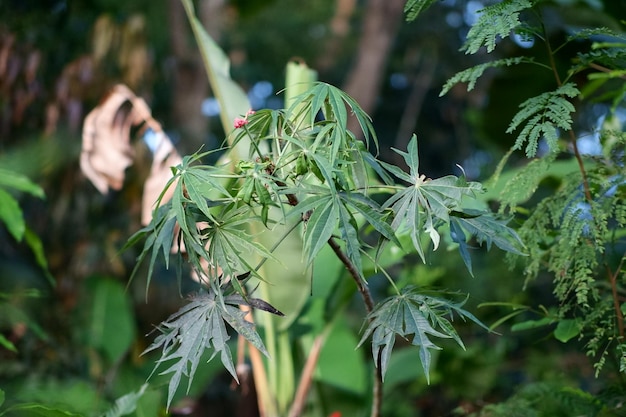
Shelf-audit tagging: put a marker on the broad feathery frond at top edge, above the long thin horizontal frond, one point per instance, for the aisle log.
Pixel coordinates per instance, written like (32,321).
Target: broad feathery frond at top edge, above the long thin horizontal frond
(495,21)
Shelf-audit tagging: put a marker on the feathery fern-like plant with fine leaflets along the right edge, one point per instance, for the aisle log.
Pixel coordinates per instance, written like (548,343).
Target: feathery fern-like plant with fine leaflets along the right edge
(574,230)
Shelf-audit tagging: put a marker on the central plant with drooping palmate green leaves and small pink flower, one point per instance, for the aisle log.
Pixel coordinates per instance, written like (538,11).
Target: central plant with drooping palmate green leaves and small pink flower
(299,172)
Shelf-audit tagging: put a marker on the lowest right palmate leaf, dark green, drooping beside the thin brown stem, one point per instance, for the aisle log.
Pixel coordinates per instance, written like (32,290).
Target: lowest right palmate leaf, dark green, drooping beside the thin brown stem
(414,317)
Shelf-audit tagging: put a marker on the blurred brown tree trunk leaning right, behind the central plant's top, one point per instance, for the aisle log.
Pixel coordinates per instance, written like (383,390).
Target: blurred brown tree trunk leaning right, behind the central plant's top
(380,25)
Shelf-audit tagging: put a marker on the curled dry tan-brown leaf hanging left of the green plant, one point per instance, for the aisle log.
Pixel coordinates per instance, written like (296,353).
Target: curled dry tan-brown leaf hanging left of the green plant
(107,151)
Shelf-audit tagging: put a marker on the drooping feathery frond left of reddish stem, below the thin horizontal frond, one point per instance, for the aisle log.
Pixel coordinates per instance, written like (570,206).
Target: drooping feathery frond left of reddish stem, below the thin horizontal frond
(543,115)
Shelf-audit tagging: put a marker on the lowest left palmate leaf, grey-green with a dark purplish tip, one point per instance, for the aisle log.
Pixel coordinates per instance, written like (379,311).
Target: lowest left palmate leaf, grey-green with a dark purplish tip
(200,326)
